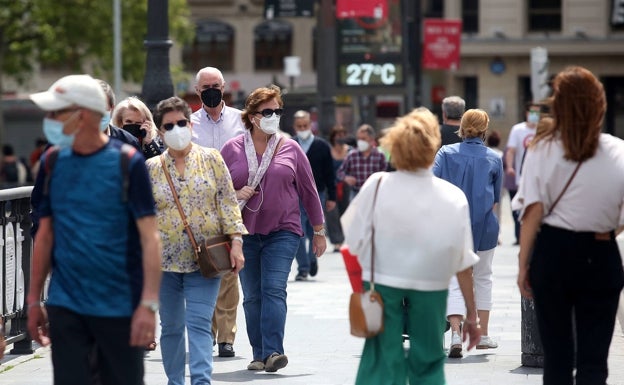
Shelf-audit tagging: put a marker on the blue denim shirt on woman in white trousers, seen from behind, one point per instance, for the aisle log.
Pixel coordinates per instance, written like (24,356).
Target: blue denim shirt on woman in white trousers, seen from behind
(478,171)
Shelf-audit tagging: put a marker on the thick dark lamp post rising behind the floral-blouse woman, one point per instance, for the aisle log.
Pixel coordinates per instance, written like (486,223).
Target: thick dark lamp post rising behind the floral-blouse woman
(157,84)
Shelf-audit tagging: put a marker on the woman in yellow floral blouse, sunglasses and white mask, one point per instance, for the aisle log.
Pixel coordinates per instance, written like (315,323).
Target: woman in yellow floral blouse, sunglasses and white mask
(204,187)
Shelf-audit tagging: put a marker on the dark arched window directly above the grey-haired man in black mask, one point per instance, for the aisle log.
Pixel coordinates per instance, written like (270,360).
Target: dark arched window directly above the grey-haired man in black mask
(213,47)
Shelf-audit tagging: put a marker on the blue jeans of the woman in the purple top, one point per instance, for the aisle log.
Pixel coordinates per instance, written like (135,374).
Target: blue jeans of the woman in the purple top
(267,265)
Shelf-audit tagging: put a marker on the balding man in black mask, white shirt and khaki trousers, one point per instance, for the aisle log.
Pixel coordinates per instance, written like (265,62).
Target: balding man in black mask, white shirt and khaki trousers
(213,125)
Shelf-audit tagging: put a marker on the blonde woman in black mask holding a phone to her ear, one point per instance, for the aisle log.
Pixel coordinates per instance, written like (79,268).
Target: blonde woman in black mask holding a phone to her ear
(133,116)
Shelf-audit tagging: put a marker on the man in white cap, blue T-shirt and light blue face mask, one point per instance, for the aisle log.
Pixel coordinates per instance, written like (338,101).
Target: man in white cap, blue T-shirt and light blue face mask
(98,238)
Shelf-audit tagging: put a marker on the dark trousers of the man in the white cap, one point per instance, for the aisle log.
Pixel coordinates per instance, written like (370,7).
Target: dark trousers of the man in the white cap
(75,337)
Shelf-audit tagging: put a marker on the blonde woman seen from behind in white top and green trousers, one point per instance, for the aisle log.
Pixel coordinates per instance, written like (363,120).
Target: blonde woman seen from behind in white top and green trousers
(421,241)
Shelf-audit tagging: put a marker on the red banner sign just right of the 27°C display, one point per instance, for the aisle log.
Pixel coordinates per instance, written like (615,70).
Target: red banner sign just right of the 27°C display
(442,42)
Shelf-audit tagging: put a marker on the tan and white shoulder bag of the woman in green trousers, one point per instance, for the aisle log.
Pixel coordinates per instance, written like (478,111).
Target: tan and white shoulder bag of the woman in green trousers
(366,309)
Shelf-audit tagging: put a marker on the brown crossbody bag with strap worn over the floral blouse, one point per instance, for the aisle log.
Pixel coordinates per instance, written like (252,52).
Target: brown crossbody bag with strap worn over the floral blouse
(212,256)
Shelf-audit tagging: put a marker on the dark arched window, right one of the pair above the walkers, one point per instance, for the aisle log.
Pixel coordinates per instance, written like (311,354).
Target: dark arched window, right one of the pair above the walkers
(272,42)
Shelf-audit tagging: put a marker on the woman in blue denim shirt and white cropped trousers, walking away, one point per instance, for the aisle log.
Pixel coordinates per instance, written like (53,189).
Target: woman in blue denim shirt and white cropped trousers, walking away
(478,171)
